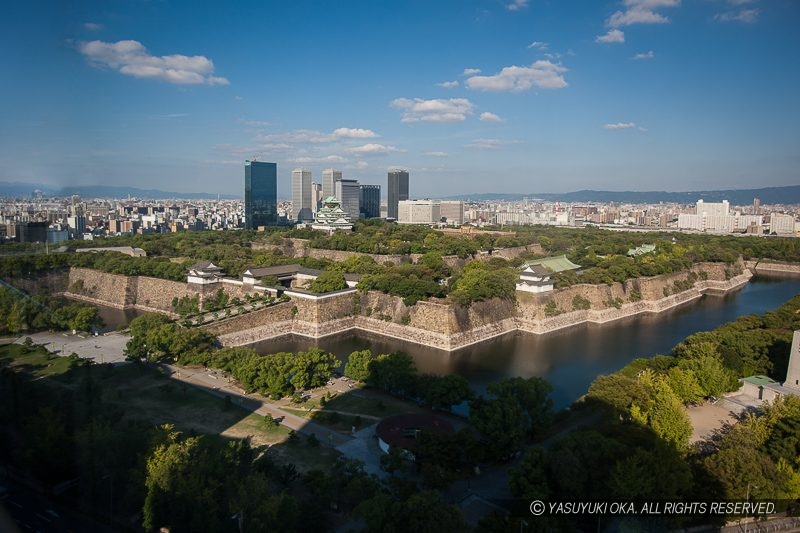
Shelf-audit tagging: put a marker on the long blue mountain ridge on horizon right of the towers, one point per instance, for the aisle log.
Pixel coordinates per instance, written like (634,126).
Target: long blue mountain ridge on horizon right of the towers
(767,195)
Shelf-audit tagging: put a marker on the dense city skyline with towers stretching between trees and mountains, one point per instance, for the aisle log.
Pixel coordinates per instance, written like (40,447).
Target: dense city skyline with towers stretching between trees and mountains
(54,220)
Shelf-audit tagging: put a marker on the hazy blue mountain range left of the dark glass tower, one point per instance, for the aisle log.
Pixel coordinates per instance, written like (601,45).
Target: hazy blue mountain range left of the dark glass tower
(18,189)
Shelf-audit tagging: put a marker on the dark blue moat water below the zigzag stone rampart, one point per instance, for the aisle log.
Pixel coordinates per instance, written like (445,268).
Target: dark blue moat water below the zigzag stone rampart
(569,359)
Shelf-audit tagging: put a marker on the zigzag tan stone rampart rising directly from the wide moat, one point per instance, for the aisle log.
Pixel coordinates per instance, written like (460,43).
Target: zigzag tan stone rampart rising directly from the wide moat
(446,327)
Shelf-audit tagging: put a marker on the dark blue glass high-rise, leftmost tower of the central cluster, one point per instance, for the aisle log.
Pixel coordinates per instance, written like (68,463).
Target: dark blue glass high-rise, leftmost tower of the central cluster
(260,194)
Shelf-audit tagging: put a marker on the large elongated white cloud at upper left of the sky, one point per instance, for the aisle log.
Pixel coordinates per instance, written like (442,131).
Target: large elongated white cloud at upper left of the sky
(132,58)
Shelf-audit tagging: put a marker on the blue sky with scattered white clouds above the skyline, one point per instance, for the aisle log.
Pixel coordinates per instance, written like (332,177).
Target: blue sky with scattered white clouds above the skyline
(518,96)
